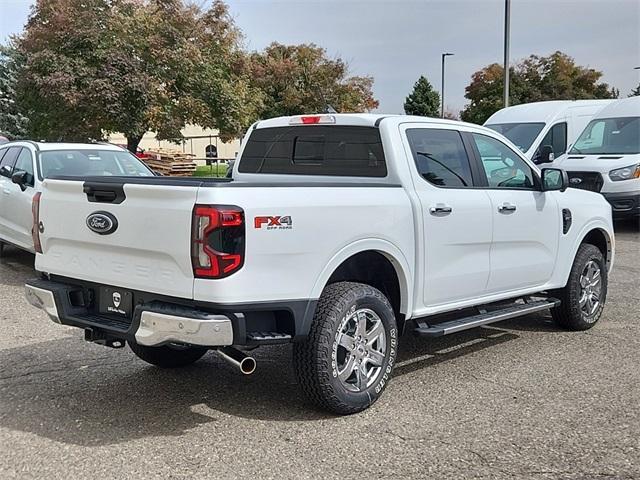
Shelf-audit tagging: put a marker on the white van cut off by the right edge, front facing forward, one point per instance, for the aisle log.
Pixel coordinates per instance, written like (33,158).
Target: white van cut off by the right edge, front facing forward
(606,157)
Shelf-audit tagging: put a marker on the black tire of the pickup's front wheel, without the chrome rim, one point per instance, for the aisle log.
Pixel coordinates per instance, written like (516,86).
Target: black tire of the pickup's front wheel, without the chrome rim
(570,314)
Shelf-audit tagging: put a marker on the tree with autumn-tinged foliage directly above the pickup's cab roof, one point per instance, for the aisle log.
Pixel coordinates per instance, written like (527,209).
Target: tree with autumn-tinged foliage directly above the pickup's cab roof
(297,79)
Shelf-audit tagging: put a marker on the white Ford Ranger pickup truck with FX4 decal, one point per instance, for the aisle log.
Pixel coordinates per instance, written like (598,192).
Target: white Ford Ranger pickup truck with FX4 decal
(337,233)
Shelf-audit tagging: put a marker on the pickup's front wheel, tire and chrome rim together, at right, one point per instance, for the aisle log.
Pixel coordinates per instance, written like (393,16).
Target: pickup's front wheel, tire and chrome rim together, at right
(582,299)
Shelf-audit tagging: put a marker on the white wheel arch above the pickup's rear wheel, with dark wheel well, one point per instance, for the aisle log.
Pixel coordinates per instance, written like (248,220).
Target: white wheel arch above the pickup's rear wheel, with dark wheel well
(376,262)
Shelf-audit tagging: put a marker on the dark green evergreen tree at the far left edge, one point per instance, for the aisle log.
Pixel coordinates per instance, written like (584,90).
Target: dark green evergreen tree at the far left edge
(12,122)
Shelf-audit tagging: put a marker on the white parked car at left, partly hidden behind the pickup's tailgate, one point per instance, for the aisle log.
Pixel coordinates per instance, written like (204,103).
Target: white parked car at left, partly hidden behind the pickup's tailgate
(24,165)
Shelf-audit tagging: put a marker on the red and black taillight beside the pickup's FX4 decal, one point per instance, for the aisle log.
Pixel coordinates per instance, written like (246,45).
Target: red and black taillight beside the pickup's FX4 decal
(217,240)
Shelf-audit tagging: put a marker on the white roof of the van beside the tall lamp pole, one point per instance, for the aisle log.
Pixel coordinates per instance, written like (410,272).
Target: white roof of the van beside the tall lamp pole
(542,112)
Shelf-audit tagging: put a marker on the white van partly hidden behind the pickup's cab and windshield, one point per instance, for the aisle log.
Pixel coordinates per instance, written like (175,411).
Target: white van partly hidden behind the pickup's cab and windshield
(554,125)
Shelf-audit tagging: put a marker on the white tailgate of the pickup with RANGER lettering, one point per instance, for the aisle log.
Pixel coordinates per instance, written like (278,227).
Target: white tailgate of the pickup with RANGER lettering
(149,250)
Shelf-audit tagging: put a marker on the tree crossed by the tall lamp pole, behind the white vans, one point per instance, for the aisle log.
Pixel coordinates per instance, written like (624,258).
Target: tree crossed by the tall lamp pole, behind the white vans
(533,79)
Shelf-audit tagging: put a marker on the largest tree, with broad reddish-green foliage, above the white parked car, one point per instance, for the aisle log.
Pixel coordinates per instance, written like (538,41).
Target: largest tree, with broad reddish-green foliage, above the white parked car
(99,66)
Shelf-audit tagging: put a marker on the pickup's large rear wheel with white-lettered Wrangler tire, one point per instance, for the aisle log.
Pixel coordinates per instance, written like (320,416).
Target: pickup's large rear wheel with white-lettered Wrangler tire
(346,361)
